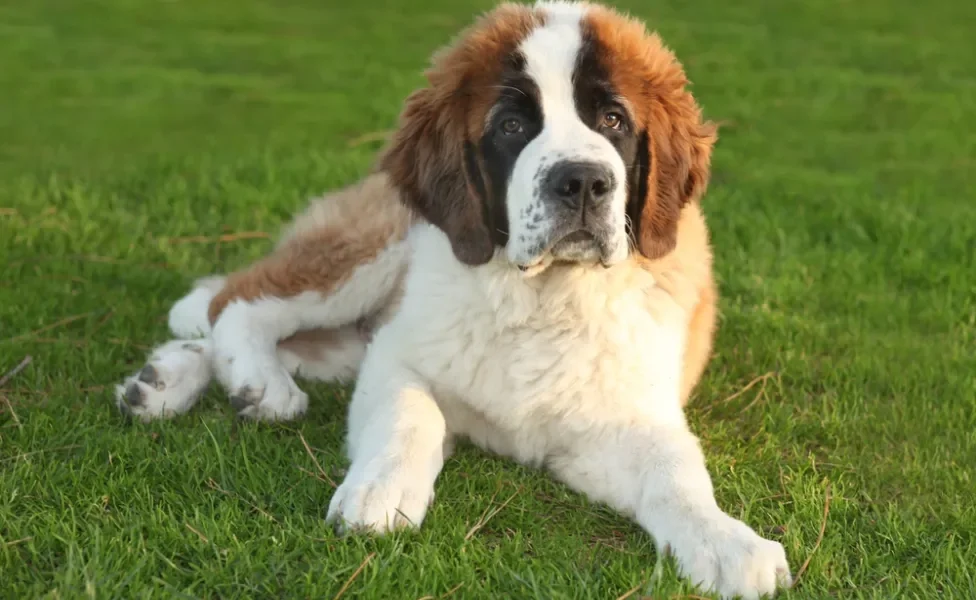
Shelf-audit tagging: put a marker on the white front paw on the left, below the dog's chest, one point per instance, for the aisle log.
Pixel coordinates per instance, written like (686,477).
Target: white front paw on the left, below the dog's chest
(381,497)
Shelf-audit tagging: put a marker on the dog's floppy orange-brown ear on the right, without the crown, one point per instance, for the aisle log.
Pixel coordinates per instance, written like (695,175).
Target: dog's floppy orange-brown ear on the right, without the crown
(673,168)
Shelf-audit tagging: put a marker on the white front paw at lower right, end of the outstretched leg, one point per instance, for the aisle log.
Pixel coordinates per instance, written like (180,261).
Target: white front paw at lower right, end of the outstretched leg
(727,557)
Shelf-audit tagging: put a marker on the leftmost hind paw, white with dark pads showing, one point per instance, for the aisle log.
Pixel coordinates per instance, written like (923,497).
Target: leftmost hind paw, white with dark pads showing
(172,381)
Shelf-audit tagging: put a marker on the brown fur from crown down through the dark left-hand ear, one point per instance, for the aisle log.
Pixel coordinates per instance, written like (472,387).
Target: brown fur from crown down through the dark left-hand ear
(431,157)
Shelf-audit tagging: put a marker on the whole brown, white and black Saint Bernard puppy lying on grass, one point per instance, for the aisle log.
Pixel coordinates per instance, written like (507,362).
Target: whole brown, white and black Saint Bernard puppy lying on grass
(528,268)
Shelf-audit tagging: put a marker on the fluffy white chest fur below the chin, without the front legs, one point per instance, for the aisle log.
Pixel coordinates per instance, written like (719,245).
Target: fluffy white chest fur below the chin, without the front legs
(517,363)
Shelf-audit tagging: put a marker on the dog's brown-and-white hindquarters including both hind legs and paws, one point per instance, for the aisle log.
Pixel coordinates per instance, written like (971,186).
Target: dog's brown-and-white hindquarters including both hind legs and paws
(307,309)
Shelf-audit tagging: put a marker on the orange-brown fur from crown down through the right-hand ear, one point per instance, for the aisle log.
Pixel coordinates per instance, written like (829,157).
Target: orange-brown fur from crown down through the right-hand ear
(652,81)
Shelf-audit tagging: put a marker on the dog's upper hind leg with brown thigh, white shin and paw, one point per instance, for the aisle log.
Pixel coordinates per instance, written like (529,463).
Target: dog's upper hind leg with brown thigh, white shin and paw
(341,263)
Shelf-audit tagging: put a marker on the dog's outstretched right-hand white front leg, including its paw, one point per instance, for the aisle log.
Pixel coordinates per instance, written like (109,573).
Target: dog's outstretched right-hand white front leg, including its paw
(657,474)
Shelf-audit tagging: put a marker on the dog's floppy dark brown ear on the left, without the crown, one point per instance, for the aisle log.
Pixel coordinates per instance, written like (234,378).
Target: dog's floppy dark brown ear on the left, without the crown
(436,169)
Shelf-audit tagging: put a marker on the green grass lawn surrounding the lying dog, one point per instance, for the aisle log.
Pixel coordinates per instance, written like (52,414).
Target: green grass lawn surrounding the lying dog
(135,133)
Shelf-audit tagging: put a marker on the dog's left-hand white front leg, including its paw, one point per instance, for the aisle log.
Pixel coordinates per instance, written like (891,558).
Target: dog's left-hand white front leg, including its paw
(396,442)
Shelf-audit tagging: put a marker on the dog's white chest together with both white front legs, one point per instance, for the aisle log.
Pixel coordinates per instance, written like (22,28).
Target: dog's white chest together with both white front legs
(577,369)
